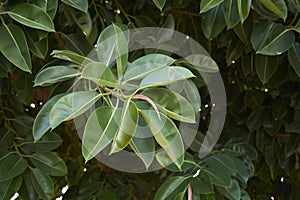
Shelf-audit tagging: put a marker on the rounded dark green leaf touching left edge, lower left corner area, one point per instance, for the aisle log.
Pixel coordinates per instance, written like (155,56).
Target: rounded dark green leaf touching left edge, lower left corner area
(12,166)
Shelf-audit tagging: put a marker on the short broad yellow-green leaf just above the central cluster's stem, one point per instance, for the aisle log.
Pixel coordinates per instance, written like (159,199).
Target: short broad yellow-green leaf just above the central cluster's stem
(99,74)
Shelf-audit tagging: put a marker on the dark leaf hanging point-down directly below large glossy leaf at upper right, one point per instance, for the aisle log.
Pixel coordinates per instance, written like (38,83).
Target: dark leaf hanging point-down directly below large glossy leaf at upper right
(265,67)
